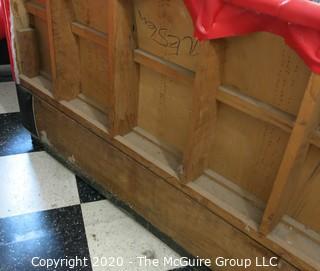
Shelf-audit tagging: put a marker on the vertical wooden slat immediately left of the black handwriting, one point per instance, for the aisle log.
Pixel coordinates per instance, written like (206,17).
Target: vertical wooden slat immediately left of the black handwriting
(123,76)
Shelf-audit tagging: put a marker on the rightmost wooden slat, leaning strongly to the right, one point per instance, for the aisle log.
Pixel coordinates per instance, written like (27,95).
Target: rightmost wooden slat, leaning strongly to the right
(295,154)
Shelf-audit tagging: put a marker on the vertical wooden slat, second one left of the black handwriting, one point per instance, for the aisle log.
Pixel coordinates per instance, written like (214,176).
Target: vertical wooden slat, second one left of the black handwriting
(64,50)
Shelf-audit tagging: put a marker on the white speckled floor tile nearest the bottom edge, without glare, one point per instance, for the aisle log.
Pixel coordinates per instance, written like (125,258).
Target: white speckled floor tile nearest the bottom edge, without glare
(111,233)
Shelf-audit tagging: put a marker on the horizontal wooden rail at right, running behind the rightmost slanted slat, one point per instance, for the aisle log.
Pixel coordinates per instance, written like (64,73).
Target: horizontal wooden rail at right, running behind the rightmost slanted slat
(261,111)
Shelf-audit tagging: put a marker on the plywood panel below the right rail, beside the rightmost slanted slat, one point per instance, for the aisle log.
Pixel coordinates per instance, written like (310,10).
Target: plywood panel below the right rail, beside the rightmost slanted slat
(247,151)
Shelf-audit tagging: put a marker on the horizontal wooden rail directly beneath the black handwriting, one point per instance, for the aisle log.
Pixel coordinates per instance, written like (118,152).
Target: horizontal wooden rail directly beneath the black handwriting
(164,67)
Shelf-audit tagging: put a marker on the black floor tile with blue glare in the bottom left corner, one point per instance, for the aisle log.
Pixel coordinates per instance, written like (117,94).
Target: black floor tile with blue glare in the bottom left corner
(54,234)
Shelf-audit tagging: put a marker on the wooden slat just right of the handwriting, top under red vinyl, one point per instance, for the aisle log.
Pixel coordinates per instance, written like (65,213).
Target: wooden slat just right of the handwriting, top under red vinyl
(204,110)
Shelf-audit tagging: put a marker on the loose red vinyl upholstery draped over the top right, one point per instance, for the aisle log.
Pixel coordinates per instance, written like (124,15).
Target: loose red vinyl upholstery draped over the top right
(297,21)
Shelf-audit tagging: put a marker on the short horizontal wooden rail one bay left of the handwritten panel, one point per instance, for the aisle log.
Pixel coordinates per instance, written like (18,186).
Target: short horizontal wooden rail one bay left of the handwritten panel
(90,34)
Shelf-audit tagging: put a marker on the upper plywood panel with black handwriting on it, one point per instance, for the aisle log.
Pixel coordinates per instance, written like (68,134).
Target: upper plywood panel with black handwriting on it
(164,28)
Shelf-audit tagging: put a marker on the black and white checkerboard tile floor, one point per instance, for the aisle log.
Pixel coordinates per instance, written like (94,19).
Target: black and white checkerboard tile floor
(46,212)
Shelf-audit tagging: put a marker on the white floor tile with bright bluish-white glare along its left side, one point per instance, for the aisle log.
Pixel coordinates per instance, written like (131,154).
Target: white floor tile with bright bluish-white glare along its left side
(34,182)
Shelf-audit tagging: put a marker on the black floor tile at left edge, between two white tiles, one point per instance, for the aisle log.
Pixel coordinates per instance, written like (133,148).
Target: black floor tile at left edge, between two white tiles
(14,138)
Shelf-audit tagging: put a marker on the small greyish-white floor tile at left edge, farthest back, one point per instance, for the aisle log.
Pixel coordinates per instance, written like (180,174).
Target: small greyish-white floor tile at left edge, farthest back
(8,98)
